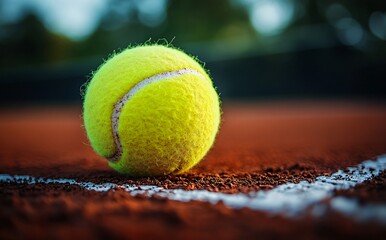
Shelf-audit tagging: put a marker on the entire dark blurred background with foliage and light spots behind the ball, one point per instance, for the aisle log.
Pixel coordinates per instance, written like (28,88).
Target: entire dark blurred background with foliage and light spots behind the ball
(254,49)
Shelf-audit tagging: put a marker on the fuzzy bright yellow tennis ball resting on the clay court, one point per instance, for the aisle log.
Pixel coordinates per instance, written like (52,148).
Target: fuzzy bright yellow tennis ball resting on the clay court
(151,110)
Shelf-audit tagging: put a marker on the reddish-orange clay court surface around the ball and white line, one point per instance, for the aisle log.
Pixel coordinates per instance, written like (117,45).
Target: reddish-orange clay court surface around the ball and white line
(260,146)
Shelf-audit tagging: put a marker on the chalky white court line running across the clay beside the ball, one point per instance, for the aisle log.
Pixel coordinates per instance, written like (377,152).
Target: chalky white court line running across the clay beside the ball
(289,199)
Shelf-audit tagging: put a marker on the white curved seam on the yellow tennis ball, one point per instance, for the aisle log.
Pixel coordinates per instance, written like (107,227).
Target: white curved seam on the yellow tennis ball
(121,103)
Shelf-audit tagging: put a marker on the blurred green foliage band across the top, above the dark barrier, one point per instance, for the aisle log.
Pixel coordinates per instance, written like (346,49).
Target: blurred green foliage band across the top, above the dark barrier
(215,26)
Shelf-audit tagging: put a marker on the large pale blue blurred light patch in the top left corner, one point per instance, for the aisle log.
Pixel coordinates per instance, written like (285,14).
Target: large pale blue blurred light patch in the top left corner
(73,18)
